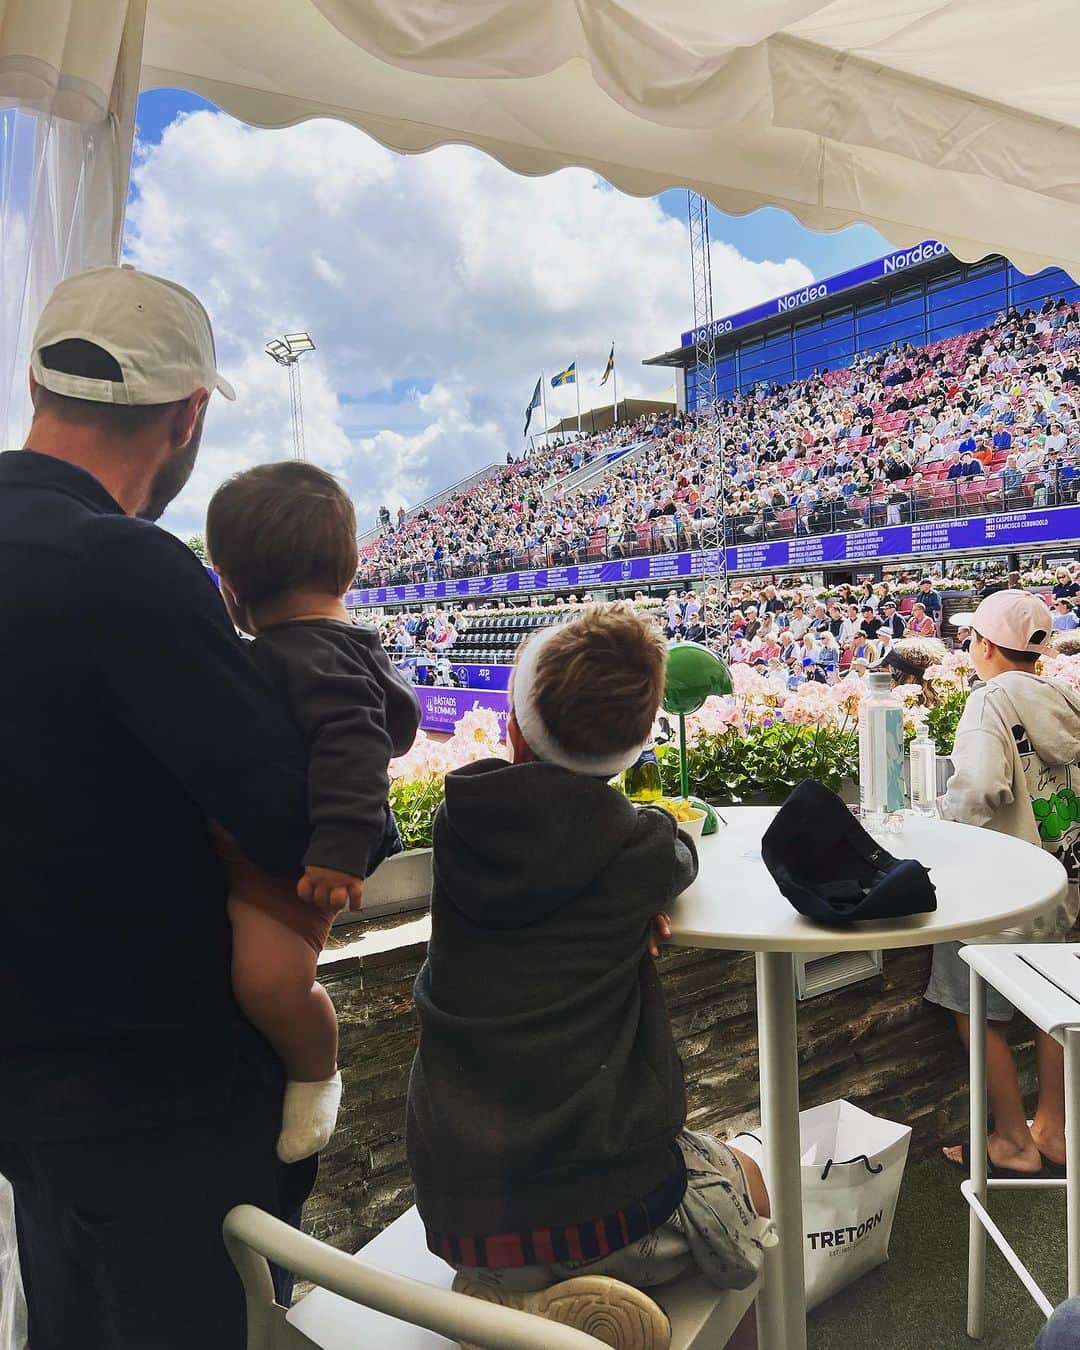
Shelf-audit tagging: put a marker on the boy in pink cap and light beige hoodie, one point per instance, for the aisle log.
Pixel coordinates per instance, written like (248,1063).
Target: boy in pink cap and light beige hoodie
(1016,759)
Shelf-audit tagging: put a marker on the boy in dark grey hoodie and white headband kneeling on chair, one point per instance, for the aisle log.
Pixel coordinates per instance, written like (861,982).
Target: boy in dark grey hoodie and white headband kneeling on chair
(546,1117)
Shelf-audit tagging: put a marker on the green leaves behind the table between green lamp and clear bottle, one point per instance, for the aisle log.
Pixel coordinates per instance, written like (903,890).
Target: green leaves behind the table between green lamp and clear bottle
(765,763)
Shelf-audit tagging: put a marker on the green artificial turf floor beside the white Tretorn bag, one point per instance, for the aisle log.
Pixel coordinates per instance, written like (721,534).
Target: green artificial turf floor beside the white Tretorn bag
(917,1301)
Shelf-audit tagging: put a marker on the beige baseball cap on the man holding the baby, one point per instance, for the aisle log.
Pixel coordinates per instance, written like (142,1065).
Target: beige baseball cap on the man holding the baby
(157,333)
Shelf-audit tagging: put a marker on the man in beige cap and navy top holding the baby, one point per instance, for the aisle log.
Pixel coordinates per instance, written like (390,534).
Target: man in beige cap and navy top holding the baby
(137,1105)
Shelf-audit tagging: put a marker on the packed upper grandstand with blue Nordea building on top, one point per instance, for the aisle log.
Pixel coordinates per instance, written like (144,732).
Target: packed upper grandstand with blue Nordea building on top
(934,414)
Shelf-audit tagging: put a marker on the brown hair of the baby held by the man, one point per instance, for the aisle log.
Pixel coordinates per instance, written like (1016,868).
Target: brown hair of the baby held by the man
(280,527)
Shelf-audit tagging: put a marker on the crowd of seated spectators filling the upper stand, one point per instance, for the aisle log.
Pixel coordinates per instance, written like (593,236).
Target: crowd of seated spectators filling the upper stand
(983,422)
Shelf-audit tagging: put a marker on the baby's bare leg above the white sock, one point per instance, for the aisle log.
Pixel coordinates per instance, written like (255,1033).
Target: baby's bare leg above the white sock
(273,978)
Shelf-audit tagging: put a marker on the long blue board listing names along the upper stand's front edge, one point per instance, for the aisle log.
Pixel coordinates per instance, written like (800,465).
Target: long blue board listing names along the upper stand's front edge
(1013,530)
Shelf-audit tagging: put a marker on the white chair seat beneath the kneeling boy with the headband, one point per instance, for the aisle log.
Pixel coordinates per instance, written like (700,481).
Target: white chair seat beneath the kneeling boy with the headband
(701,1317)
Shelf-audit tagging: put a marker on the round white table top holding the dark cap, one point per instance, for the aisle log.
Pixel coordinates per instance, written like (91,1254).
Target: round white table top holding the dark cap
(985,882)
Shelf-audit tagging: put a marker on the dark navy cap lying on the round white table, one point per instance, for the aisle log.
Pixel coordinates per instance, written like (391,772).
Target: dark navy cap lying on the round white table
(832,870)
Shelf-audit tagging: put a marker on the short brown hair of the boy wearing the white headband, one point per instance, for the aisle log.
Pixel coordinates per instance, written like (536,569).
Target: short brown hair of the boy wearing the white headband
(600,680)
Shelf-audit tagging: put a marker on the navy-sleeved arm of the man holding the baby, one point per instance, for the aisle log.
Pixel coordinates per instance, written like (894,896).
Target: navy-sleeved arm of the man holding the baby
(175,674)
